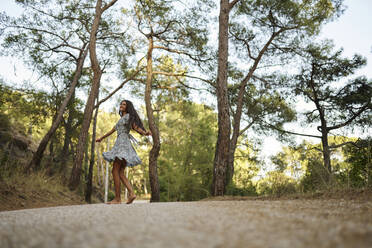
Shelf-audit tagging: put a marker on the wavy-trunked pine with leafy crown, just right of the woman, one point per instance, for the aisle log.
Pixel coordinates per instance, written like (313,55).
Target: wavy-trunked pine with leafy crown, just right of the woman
(172,32)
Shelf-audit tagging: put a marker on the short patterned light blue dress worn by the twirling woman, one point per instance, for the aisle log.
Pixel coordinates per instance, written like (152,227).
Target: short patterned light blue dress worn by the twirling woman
(123,148)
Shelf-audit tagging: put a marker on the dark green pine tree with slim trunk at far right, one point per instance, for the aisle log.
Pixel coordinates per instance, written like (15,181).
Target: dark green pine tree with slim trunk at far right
(337,105)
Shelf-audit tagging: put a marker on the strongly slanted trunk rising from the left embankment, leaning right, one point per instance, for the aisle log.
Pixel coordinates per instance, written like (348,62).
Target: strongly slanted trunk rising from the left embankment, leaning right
(36,158)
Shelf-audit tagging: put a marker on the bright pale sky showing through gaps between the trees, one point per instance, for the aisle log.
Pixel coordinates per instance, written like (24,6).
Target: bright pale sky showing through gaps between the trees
(352,32)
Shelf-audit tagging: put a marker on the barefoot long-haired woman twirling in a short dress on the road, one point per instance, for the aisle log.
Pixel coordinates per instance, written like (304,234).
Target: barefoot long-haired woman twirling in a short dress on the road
(123,153)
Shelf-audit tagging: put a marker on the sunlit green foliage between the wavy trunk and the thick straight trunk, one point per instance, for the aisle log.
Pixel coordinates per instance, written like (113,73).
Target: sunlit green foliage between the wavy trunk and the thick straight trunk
(185,162)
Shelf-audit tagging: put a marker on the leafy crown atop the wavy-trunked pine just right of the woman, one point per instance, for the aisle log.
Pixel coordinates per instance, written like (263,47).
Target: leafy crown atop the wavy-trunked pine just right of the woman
(178,29)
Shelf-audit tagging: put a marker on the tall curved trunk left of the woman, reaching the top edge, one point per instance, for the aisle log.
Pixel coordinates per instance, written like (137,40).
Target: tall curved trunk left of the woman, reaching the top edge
(97,73)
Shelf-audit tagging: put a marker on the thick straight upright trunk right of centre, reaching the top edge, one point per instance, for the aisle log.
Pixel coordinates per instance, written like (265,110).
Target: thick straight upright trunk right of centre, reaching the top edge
(223,140)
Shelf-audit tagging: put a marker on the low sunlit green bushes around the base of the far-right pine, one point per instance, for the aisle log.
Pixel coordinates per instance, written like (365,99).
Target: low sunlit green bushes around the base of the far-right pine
(351,165)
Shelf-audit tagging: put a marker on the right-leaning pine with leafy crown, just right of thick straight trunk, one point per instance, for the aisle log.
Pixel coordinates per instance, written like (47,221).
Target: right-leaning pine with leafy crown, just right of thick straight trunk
(272,33)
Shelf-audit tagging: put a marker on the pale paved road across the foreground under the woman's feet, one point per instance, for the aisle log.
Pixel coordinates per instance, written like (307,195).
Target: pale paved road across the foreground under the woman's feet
(296,223)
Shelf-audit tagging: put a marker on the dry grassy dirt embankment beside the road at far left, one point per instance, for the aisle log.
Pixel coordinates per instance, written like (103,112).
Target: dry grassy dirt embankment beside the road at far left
(20,190)
